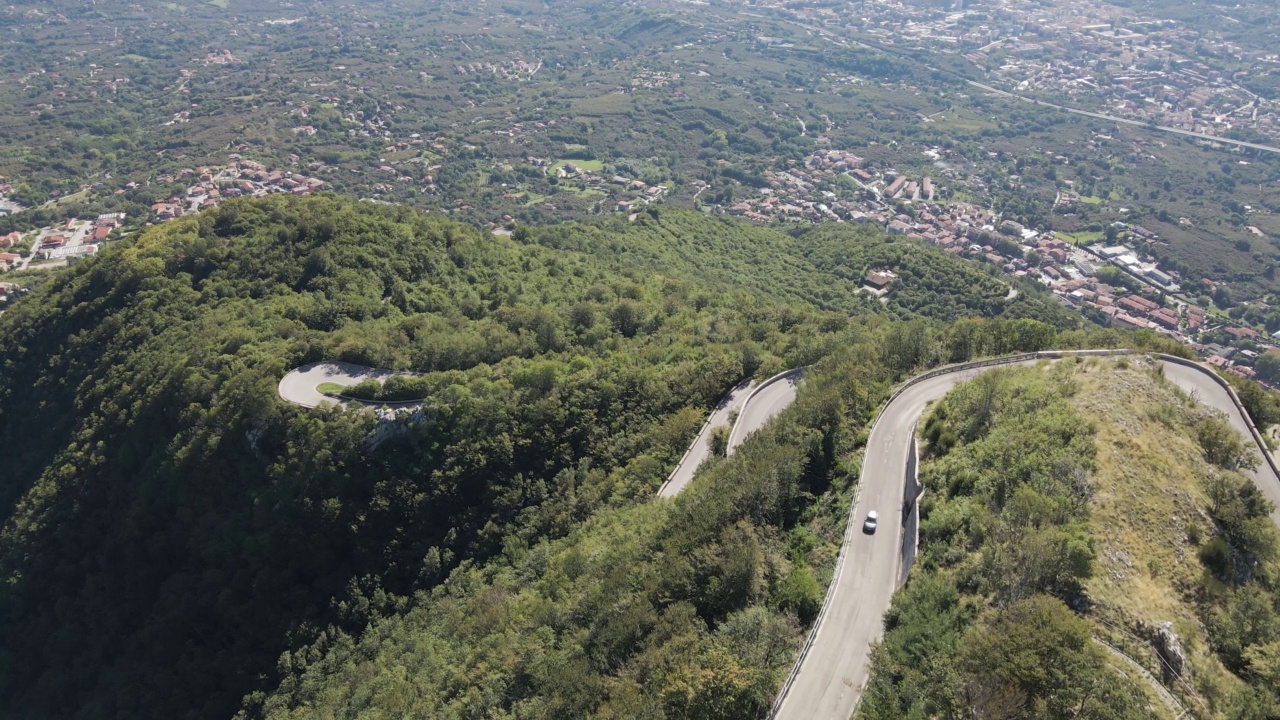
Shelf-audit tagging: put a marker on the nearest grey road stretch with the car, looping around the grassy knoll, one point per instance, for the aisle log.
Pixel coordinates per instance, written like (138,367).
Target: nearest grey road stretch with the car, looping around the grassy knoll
(833,675)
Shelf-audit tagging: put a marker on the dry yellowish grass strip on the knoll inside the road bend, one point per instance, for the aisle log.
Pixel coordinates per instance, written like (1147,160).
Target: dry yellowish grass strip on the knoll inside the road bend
(1149,507)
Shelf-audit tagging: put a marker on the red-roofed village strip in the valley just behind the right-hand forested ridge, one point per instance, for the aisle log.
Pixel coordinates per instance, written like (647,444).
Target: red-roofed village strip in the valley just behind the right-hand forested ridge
(838,186)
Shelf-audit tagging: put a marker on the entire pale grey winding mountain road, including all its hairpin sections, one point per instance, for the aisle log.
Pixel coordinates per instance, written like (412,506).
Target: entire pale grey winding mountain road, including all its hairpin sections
(834,668)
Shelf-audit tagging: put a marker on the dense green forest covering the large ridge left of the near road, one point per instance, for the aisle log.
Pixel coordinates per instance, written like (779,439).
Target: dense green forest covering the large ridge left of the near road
(180,543)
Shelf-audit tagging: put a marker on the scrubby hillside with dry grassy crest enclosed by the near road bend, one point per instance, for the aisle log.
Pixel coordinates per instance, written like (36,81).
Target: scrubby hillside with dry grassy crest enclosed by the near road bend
(1080,514)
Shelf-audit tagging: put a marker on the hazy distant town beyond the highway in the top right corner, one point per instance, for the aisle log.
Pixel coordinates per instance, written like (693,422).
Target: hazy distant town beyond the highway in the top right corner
(1103,57)
